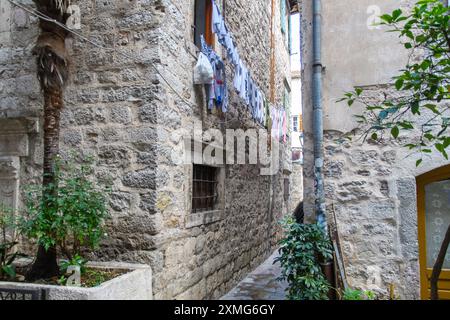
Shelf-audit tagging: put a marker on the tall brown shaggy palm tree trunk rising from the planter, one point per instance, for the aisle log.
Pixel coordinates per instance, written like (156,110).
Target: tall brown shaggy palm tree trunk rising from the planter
(52,72)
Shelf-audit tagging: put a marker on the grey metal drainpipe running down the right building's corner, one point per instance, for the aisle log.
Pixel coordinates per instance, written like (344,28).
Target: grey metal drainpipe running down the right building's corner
(318,117)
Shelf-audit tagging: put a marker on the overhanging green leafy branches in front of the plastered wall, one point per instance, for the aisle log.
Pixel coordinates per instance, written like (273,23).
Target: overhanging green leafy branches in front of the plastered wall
(423,85)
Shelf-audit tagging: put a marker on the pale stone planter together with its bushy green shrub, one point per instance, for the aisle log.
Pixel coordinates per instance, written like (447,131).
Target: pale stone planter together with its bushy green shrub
(71,220)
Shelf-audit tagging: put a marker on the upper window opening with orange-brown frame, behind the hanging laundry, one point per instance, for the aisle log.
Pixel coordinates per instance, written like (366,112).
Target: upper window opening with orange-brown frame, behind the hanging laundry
(203,22)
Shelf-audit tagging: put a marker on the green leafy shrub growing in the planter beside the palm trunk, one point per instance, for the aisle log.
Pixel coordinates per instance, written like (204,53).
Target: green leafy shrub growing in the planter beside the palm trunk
(69,217)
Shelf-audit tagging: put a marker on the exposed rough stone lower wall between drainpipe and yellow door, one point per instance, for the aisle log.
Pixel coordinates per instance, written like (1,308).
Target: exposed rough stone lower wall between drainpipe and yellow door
(376,214)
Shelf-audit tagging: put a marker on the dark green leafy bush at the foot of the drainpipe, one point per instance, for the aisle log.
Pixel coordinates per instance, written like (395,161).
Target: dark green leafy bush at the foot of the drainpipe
(302,250)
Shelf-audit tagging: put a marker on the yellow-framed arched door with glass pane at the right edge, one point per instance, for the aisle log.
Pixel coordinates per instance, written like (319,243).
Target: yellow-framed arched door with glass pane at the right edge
(433,199)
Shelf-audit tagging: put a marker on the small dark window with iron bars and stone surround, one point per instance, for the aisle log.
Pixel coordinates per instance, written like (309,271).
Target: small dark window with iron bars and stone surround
(204,188)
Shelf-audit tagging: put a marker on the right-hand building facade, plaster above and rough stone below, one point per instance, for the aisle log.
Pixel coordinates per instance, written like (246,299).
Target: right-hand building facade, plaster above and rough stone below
(370,187)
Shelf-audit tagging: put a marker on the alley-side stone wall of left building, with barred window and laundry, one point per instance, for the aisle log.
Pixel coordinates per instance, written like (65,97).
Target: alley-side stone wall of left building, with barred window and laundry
(208,260)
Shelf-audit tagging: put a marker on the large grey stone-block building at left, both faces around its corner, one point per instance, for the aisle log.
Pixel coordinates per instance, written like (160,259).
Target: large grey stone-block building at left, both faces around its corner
(121,110)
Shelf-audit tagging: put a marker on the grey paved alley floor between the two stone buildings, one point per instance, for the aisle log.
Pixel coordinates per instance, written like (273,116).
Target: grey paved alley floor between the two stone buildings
(261,284)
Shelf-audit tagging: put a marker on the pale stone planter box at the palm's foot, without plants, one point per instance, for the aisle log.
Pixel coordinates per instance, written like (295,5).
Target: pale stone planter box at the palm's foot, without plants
(134,285)
